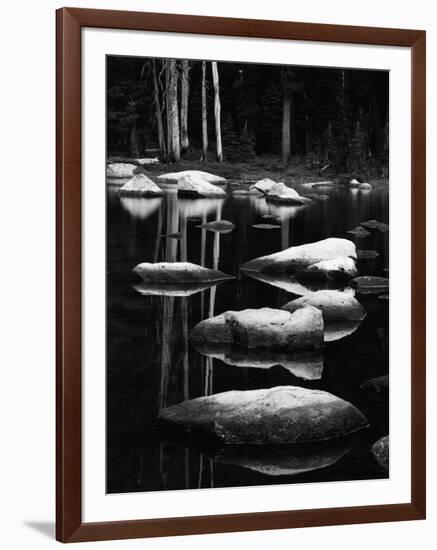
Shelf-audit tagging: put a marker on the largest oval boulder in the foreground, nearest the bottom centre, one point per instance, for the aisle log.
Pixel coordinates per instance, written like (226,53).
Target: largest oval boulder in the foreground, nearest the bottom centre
(275,416)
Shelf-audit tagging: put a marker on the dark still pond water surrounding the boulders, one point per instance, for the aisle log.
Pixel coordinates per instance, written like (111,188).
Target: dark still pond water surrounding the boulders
(151,363)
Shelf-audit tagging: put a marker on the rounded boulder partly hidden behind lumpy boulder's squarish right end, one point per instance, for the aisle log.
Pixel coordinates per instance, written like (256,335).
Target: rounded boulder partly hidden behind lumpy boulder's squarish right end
(334,305)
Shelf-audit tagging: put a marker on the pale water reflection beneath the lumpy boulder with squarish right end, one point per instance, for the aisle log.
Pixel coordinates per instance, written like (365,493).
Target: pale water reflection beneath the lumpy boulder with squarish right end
(307,365)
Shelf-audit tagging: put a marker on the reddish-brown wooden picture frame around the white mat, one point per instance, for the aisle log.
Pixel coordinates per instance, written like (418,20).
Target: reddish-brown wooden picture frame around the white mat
(69,526)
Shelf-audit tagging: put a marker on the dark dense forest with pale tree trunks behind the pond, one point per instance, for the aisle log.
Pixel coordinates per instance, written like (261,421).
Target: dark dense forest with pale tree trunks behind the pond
(201,110)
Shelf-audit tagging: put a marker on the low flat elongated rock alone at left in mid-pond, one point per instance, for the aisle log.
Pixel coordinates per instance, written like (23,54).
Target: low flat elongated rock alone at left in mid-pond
(181,273)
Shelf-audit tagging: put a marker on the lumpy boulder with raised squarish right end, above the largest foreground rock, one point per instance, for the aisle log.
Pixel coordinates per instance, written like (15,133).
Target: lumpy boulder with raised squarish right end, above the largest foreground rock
(264,328)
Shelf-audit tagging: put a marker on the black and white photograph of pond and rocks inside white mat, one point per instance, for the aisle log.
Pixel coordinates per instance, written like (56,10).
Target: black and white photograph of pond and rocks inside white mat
(247,274)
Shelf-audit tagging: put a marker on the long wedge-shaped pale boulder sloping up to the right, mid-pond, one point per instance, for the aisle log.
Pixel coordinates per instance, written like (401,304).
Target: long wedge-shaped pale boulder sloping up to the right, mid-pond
(296,258)
